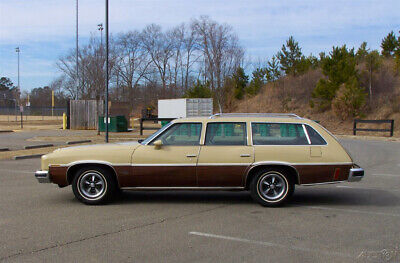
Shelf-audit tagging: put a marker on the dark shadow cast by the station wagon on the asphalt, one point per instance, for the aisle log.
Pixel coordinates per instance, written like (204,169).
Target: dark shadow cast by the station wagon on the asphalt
(303,196)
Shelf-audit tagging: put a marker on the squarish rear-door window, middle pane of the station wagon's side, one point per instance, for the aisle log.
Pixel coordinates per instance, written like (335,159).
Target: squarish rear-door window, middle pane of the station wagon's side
(226,133)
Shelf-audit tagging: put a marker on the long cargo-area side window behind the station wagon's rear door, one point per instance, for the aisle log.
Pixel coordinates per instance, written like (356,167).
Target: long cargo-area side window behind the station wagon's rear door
(278,134)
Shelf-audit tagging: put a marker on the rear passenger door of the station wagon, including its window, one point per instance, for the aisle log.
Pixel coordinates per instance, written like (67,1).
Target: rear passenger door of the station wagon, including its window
(225,155)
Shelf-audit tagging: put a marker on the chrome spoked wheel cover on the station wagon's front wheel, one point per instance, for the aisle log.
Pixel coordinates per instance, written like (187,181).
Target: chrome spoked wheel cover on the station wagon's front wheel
(92,185)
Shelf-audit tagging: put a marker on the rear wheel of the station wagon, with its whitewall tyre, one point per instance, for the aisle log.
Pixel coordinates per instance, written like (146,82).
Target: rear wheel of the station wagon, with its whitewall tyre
(272,187)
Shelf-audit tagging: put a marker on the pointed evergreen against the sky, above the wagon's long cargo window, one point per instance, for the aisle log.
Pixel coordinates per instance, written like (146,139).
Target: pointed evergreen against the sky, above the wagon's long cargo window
(290,56)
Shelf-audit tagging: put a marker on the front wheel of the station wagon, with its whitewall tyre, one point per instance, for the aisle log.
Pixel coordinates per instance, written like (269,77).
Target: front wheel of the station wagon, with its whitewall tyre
(94,185)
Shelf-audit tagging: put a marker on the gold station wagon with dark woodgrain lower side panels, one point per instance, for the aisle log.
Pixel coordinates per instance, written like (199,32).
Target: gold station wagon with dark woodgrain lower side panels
(267,154)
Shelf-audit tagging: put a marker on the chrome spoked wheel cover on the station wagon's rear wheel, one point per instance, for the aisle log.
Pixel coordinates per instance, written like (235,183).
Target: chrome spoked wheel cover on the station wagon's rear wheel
(272,186)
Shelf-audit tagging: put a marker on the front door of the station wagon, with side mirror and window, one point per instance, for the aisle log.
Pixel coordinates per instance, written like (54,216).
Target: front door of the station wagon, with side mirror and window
(173,164)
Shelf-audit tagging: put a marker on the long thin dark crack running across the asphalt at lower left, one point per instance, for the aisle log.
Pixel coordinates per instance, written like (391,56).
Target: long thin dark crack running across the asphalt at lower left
(160,221)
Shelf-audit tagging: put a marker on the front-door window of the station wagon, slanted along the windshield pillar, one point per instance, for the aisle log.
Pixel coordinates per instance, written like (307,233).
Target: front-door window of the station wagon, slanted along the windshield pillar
(181,134)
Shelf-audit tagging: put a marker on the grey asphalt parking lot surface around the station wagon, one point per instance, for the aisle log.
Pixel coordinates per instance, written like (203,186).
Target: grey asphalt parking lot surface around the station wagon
(332,223)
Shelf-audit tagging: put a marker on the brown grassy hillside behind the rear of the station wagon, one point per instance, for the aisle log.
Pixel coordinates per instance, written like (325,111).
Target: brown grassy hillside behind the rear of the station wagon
(293,94)
